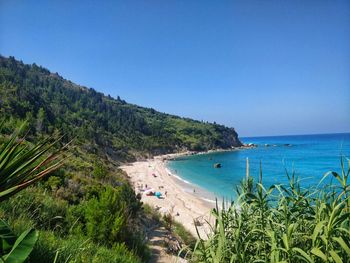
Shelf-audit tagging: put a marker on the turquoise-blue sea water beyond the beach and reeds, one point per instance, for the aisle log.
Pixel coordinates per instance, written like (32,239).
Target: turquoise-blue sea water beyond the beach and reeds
(311,156)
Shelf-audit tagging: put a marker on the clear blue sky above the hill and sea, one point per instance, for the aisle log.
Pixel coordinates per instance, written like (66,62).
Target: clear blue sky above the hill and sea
(263,67)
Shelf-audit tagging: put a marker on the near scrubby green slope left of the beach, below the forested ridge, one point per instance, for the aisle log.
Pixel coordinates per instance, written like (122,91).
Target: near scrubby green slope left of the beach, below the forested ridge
(84,213)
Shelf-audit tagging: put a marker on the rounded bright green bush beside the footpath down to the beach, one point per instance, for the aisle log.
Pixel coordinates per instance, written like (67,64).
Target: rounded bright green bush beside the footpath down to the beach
(112,217)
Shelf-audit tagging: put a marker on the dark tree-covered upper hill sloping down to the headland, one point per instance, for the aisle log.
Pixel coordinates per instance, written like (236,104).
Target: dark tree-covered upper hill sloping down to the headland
(122,130)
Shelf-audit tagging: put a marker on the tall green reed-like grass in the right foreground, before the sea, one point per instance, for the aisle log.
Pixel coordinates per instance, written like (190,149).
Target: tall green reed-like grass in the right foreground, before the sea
(282,223)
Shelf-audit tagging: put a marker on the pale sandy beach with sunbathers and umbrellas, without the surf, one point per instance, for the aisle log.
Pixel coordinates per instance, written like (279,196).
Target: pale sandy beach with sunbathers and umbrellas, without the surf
(185,207)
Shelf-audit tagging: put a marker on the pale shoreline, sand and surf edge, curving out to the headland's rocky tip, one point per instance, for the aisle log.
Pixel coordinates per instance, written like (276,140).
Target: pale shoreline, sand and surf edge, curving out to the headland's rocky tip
(177,197)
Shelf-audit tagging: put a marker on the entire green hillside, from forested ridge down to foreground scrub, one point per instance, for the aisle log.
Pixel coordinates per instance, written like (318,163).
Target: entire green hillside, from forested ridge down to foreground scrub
(87,211)
